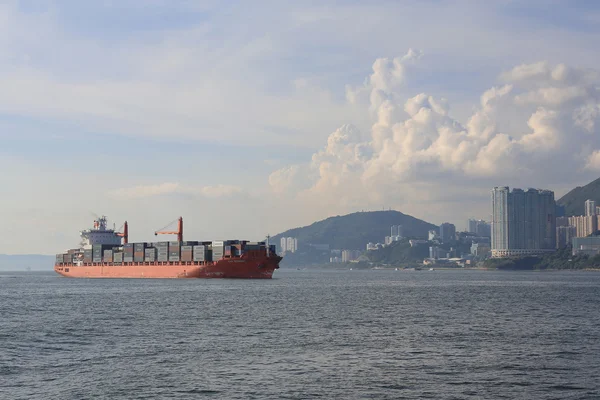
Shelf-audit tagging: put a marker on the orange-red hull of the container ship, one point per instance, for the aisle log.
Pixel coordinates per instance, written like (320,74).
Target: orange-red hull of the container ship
(238,267)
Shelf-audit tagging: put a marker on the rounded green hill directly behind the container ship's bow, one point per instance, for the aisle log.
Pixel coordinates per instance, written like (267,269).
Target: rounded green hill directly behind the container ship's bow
(354,231)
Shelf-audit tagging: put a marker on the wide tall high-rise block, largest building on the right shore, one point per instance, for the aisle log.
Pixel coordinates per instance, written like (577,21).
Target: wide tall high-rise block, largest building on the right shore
(523,222)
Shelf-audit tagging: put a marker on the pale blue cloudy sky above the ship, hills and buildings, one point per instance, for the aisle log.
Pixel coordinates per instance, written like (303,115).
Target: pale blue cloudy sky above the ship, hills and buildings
(249,118)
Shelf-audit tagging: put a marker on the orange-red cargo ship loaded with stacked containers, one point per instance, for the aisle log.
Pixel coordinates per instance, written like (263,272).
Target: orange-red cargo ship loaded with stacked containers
(107,253)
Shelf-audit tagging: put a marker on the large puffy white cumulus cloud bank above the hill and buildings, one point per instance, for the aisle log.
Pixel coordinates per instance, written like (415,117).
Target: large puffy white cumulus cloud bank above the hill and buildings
(530,131)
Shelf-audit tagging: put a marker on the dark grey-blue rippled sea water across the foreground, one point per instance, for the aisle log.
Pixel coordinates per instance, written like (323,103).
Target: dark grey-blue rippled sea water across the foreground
(304,334)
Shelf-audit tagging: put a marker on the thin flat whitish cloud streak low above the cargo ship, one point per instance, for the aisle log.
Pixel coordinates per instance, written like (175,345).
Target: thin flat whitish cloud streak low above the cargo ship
(173,188)
